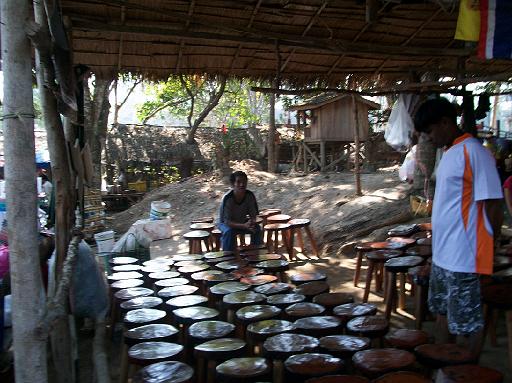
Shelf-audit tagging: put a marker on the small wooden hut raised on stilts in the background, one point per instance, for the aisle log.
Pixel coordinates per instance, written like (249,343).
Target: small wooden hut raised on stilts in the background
(330,123)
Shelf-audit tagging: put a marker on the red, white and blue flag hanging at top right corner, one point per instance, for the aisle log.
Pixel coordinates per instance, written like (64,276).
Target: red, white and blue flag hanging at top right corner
(495,29)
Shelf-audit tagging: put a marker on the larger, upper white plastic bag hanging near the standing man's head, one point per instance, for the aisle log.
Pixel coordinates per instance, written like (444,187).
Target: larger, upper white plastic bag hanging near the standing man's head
(400,126)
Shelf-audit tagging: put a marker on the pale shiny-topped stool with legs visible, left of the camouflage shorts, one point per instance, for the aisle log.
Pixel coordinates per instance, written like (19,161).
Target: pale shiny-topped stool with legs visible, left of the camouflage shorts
(393,267)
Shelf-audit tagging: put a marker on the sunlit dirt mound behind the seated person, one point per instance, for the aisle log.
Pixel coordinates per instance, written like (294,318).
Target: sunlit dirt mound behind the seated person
(337,214)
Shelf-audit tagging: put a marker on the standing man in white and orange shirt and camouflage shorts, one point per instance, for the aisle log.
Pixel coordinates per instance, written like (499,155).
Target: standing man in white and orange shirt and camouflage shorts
(466,218)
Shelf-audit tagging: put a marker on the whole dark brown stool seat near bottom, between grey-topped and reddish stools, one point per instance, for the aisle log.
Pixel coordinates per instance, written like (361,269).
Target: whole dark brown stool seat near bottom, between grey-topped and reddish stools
(376,362)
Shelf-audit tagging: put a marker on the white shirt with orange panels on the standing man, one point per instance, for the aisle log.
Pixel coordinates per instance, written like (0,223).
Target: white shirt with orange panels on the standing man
(462,237)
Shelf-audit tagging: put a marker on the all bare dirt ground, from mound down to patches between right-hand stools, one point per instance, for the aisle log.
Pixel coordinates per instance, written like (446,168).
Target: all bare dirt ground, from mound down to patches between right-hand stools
(338,219)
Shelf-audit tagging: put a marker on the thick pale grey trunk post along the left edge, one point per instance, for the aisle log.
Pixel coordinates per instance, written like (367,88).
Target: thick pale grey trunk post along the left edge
(28,300)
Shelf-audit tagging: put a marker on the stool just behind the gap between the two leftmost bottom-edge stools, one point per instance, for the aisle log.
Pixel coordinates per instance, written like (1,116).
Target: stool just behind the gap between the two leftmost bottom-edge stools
(213,351)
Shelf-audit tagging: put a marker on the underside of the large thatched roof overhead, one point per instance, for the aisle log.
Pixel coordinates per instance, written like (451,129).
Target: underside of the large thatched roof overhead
(310,41)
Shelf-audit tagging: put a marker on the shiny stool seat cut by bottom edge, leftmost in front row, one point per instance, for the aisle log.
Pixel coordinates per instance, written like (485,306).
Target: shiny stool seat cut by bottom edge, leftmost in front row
(165,372)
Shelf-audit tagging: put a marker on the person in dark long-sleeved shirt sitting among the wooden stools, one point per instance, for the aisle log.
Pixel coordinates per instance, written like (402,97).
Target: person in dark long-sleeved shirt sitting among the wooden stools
(238,212)
